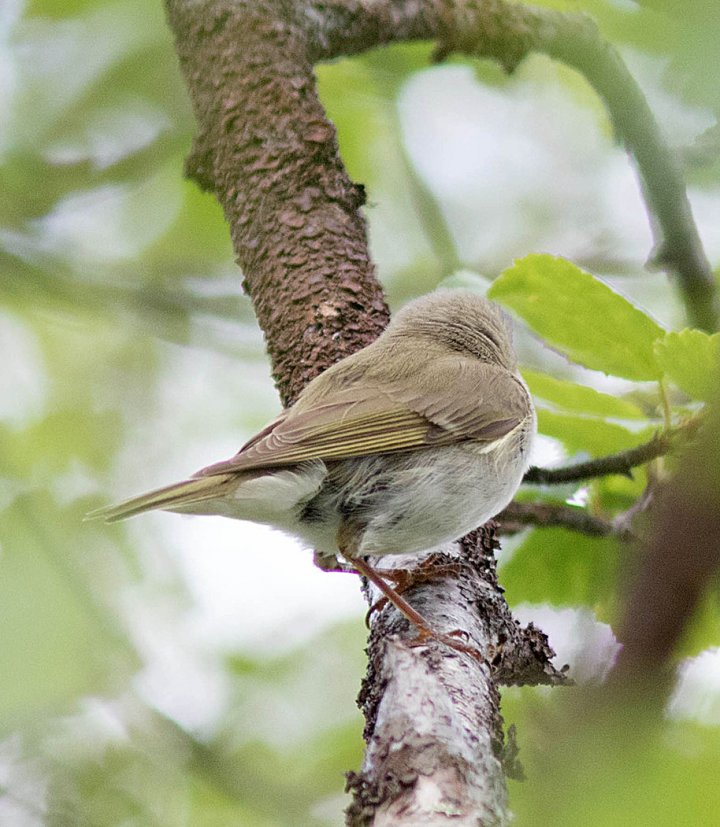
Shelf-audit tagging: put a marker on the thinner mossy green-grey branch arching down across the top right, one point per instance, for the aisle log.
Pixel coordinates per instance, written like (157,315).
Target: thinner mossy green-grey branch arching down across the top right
(507,32)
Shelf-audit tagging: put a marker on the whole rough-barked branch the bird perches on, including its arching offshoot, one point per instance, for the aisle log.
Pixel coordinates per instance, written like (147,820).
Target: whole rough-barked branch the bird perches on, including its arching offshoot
(267,151)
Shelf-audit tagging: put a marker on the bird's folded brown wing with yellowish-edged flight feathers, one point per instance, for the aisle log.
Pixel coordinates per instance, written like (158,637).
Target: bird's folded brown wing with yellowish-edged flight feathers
(450,401)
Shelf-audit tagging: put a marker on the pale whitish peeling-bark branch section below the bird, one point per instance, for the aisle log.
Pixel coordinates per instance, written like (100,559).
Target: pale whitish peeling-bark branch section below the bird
(436,752)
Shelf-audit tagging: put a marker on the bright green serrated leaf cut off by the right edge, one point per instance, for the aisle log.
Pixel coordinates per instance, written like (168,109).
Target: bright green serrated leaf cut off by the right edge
(691,359)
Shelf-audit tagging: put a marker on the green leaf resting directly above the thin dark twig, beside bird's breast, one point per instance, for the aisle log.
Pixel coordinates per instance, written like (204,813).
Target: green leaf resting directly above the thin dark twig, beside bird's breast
(594,436)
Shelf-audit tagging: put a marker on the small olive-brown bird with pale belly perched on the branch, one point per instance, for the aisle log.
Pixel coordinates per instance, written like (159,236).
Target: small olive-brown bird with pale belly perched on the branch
(406,444)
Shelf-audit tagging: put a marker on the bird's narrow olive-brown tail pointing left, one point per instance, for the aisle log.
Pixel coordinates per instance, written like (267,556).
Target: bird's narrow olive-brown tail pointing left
(181,496)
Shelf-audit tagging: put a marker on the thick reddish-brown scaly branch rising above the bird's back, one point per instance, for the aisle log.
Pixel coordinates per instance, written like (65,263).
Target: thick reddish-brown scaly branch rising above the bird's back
(267,151)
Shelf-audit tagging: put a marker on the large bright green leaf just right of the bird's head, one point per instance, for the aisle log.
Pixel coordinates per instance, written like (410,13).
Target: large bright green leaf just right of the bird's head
(580,316)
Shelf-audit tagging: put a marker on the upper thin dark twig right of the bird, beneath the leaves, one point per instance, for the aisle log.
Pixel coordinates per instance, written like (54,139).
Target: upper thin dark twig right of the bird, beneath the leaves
(620,463)
